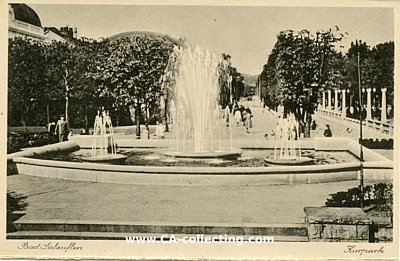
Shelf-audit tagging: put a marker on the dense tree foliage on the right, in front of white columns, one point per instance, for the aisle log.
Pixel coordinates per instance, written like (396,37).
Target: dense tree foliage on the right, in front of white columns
(301,65)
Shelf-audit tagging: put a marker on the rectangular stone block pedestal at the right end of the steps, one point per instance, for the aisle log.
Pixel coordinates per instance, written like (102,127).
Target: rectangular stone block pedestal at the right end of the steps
(328,224)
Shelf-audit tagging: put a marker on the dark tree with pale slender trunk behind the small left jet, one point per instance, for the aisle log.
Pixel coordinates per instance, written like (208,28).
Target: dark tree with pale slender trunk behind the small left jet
(69,69)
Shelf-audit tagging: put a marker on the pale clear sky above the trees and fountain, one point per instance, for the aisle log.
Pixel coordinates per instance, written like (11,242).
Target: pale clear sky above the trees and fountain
(247,33)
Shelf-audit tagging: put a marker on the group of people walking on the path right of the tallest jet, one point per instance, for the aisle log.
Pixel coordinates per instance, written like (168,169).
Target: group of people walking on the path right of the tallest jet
(240,115)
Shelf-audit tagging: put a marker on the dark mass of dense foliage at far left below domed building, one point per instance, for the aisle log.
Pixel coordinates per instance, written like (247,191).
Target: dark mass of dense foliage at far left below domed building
(47,80)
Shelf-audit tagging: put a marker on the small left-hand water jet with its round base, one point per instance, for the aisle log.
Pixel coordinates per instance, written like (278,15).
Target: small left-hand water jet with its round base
(104,148)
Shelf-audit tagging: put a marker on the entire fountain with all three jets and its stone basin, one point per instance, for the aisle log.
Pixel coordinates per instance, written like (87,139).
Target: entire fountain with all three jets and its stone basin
(200,133)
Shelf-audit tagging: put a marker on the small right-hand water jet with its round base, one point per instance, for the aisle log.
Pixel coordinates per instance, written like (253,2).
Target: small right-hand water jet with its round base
(286,152)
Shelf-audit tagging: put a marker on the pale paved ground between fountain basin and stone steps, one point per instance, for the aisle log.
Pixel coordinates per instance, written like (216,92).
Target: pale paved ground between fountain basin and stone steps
(53,199)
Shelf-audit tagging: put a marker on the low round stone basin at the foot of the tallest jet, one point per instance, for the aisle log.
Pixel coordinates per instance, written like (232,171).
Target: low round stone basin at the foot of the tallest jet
(224,154)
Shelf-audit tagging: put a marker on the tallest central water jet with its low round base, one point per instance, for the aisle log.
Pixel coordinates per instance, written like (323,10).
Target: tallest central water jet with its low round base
(197,117)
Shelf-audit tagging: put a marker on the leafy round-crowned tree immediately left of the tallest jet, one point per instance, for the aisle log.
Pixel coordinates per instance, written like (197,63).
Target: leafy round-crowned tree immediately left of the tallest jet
(130,71)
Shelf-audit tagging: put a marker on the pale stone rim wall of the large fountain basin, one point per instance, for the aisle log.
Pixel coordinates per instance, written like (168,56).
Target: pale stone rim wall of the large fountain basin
(376,168)
